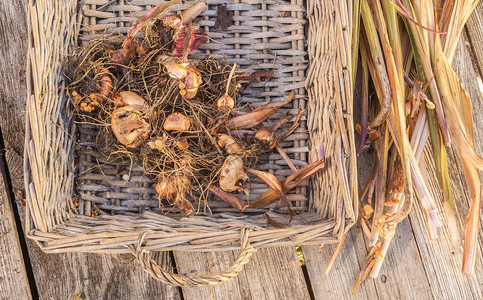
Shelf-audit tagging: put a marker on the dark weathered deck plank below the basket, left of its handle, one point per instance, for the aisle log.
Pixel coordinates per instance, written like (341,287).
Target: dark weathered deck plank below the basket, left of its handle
(97,276)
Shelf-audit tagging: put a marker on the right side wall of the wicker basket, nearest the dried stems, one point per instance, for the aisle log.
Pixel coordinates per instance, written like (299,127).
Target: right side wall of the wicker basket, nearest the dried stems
(330,124)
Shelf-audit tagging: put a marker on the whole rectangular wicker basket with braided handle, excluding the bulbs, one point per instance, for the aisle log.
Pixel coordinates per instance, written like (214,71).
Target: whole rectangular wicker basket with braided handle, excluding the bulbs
(66,181)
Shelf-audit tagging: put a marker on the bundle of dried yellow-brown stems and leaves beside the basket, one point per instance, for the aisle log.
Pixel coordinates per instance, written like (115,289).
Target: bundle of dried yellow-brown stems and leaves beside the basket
(407,117)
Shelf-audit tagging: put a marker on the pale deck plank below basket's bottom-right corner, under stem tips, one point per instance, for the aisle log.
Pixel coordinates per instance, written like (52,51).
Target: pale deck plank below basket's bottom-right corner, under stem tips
(402,275)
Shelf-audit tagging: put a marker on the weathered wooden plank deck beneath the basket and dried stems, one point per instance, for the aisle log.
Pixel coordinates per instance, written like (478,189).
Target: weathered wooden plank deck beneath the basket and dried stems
(415,267)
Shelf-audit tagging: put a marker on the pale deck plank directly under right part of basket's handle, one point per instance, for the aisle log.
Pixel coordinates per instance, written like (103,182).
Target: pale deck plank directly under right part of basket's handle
(272,273)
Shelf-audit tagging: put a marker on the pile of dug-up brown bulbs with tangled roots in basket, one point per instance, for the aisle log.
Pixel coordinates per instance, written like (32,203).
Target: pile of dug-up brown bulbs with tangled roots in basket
(178,116)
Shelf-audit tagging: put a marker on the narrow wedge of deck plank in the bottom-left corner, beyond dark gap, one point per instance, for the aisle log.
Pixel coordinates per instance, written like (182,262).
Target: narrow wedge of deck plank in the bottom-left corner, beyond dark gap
(13,277)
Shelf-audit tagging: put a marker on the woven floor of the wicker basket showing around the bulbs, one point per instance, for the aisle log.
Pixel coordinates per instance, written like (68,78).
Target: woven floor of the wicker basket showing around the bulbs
(261,38)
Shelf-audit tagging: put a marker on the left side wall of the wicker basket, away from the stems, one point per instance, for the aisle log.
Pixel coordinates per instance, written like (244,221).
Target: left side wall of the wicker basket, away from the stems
(49,172)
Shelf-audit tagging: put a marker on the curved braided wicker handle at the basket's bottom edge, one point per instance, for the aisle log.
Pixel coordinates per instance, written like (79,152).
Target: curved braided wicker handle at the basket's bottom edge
(152,268)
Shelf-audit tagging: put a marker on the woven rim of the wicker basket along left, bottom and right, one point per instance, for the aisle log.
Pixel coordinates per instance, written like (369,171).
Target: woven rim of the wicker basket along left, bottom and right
(111,234)
